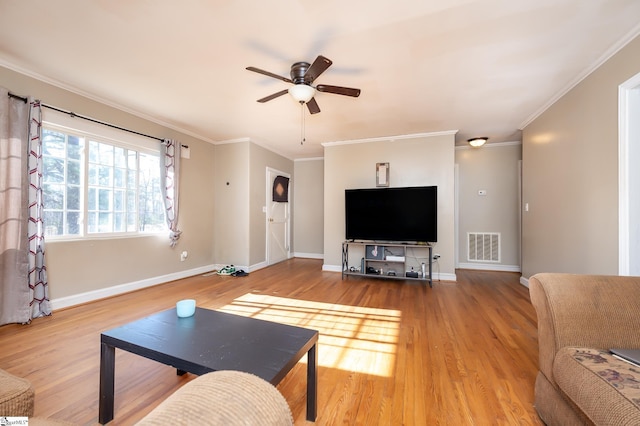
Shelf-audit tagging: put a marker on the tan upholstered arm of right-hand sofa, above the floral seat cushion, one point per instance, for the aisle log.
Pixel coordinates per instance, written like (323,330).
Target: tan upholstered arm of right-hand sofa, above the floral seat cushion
(586,311)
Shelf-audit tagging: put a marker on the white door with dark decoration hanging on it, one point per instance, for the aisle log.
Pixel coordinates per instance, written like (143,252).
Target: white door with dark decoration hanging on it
(278,216)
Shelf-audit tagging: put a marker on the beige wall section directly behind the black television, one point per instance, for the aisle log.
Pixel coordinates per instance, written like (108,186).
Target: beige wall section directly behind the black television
(417,161)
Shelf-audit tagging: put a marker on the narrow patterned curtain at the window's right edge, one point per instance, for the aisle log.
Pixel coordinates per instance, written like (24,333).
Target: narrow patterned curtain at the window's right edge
(169,174)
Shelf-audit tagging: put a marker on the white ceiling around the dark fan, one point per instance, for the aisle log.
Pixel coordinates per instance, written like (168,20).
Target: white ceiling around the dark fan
(482,67)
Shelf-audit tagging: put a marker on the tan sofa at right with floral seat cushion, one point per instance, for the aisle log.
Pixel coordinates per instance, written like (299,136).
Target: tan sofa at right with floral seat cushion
(581,317)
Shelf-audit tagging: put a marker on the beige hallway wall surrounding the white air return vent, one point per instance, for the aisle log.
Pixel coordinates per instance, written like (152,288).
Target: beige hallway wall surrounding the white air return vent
(495,169)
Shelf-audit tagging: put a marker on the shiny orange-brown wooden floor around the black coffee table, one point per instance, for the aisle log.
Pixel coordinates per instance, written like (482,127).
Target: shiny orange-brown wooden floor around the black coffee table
(390,352)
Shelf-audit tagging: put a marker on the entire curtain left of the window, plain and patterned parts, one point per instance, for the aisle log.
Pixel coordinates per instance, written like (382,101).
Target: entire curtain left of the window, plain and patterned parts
(21,249)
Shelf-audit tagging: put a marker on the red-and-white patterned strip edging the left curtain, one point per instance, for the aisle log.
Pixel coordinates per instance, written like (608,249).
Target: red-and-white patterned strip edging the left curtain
(38,285)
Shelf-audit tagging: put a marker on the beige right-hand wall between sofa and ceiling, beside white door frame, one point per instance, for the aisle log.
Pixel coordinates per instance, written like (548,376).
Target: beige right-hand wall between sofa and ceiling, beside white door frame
(570,175)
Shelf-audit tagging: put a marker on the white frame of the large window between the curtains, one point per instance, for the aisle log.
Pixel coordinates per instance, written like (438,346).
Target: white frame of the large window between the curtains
(65,123)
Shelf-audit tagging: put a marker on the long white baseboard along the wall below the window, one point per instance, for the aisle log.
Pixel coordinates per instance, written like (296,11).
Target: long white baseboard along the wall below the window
(77,299)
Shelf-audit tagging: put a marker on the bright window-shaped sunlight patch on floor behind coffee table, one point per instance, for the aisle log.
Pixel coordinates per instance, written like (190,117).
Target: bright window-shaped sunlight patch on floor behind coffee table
(352,338)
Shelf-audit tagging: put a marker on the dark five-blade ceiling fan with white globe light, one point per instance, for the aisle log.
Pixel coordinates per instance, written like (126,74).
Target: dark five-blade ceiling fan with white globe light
(302,75)
